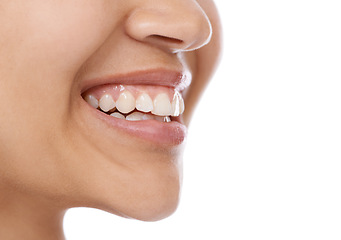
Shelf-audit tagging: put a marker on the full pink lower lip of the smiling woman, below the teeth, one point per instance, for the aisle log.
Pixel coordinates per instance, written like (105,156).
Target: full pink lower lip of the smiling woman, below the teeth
(171,134)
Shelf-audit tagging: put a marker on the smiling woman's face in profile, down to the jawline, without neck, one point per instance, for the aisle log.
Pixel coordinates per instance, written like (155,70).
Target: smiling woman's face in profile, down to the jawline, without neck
(59,60)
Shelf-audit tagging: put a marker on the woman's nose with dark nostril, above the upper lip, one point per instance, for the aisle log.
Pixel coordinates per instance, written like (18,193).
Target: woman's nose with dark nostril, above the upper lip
(174,25)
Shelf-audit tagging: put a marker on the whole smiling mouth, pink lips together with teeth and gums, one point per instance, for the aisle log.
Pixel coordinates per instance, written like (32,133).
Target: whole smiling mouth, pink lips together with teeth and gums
(146,105)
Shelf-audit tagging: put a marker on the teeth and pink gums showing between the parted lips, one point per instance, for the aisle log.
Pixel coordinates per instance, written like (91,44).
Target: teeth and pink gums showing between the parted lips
(136,103)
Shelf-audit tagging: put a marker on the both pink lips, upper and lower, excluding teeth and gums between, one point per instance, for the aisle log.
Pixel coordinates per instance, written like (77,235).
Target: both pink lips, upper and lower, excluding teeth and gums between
(170,134)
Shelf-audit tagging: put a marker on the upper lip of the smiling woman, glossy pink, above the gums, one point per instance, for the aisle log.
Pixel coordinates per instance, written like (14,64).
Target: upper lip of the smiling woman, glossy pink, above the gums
(161,77)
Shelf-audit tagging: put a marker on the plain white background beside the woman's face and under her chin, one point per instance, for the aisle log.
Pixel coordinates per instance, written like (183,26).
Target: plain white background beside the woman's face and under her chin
(263,155)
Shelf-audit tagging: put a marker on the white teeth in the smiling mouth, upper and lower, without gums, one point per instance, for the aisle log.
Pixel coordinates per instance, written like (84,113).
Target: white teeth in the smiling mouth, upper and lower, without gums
(161,106)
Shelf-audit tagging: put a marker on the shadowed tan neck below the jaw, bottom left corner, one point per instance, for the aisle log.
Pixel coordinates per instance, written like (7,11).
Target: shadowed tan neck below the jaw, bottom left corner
(23,216)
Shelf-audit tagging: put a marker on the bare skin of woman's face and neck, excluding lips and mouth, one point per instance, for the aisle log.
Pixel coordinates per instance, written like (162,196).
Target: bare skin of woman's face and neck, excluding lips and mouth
(51,158)
